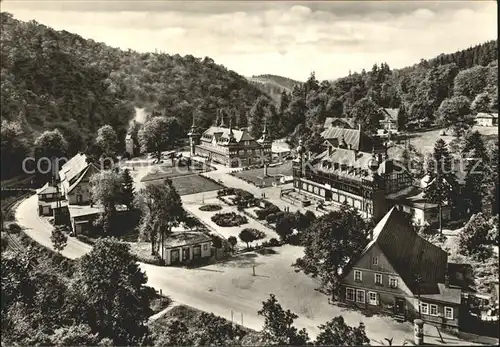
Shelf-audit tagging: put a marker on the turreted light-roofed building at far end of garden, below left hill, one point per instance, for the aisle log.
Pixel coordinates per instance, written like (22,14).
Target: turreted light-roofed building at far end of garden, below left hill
(231,147)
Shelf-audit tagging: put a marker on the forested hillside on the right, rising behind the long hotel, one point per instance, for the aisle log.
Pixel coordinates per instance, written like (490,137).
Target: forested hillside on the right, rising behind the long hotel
(460,83)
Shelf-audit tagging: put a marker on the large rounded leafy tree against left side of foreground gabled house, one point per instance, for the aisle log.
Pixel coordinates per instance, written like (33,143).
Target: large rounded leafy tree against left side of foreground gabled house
(329,243)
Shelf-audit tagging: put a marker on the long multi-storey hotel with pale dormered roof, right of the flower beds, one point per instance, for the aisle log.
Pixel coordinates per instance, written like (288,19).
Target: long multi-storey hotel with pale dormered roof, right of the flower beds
(347,172)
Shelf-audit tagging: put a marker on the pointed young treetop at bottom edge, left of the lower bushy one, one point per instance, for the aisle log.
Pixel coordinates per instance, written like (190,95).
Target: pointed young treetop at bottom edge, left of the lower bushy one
(278,324)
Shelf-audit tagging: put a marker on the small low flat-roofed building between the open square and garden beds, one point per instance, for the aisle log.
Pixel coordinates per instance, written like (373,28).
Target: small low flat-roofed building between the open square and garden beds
(185,247)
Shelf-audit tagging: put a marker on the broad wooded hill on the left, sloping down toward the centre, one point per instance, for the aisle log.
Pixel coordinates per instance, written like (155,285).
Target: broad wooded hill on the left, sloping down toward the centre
(58,79)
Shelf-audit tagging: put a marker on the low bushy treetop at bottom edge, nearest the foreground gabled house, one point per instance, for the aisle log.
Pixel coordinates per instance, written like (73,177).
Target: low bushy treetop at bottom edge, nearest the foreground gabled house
(337,333)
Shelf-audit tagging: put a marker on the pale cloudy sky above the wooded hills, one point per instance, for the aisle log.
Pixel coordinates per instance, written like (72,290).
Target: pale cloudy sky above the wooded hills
(287,38)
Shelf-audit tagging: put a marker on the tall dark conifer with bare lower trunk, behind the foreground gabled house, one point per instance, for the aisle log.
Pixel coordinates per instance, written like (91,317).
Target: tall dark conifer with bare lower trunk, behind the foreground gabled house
(442,182)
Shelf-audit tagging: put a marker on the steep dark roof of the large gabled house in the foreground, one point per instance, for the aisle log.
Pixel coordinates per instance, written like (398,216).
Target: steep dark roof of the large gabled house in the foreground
(408,253)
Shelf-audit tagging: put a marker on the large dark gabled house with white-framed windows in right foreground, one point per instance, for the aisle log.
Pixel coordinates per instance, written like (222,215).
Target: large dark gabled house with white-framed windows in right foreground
(404,275)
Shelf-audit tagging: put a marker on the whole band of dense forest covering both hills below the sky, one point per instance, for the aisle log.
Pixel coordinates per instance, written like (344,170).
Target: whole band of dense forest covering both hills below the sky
(56,79)
